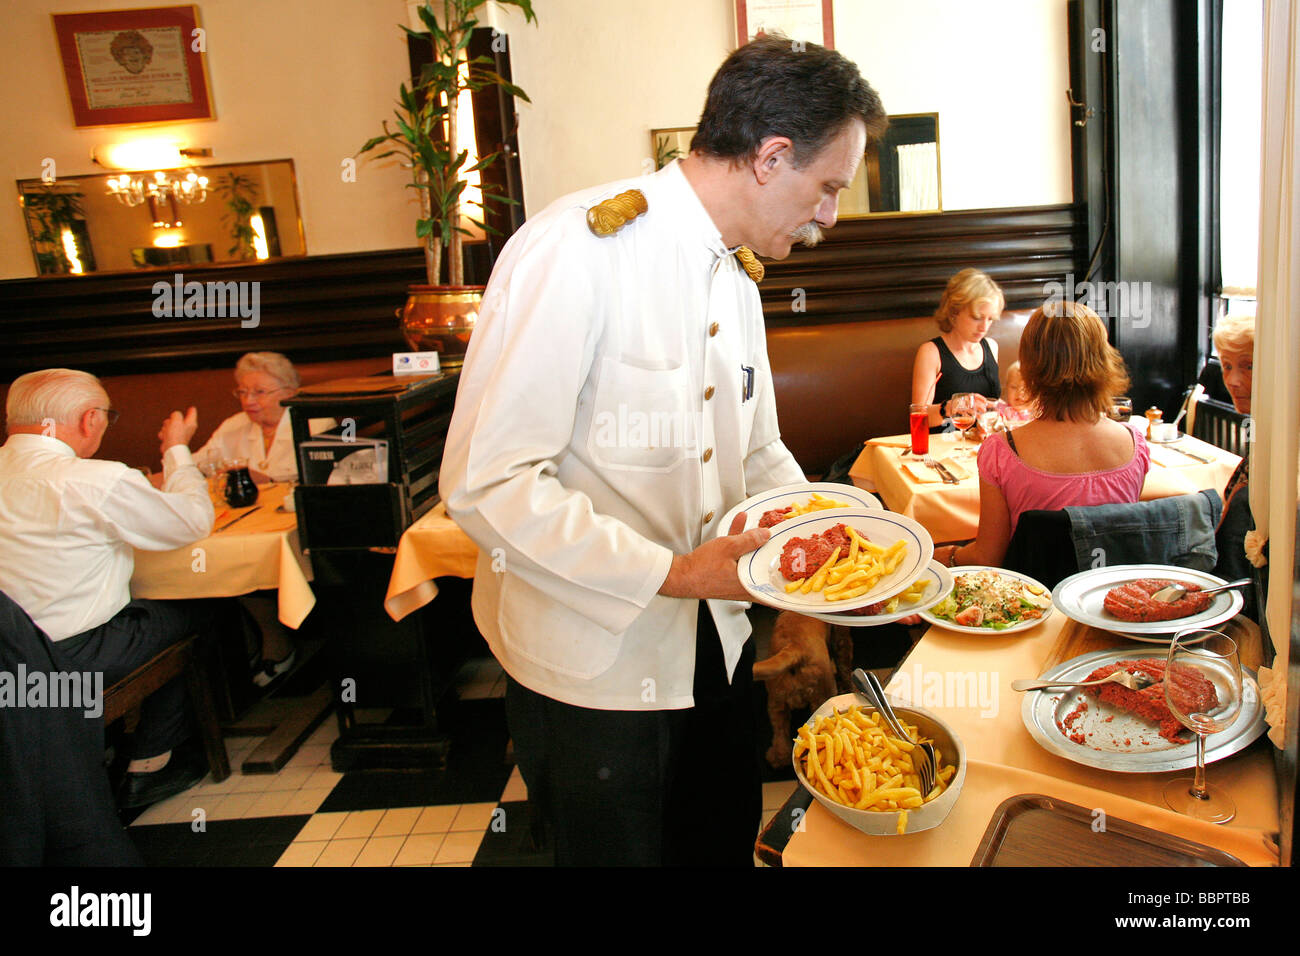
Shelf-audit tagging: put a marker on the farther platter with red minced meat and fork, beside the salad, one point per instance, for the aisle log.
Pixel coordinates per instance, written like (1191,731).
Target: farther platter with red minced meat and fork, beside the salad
(1084,598)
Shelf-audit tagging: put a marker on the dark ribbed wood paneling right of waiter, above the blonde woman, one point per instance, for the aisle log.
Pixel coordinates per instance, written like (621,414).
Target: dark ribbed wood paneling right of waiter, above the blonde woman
(891,269)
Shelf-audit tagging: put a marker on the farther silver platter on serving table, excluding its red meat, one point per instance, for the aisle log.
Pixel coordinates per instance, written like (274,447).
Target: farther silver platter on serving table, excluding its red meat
(1084,596)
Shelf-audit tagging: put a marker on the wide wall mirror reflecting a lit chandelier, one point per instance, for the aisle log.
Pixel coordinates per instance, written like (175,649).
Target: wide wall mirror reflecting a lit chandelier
(81,224)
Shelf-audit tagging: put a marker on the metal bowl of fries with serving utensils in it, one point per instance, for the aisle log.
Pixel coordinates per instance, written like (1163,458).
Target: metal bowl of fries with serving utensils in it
(866,778)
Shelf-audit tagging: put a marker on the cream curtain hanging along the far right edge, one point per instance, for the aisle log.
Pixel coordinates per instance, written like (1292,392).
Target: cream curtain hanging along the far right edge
(1276,403)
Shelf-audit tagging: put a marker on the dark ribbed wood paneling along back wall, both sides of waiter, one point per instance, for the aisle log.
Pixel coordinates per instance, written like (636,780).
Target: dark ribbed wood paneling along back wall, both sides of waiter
(323,309)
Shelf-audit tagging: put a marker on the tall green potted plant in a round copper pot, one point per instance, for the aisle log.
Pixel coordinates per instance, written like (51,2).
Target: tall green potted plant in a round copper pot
(440,318)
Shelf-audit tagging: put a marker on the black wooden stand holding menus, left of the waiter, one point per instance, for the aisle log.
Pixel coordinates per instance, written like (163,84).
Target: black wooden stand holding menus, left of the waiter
(350,533)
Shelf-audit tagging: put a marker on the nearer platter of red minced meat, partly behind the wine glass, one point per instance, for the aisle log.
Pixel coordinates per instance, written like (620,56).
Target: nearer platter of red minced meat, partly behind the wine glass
(1124,733)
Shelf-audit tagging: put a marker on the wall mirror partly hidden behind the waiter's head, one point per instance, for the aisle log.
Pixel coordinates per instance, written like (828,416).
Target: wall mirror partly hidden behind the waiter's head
(898,176)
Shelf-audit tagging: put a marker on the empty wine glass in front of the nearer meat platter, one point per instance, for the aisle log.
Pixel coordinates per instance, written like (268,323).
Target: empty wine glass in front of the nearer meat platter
(1203,690)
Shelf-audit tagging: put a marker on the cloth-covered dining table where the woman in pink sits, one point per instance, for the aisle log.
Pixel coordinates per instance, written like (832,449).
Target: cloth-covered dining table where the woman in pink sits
(951,513)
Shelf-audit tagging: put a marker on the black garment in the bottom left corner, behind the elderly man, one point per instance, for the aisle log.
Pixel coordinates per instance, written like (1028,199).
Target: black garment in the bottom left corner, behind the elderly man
(57,807)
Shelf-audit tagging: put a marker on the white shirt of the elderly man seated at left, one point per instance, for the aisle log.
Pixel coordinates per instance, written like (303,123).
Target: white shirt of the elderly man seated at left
(68,526)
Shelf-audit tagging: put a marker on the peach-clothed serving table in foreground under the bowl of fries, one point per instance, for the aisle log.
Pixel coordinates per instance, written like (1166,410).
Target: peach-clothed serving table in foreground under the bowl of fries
(1006,762)
